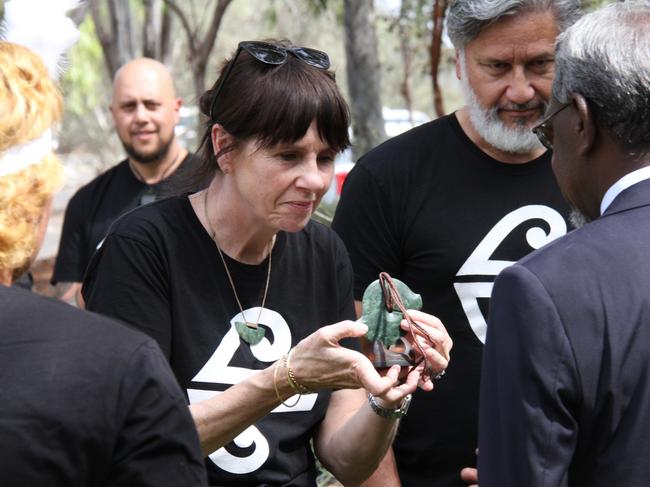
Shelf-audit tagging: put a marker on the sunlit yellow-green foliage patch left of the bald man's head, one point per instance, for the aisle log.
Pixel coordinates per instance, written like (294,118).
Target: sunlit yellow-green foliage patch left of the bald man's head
(82,81)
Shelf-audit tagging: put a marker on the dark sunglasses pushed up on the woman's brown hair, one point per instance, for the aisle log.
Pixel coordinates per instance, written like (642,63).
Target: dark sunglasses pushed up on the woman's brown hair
(274,55)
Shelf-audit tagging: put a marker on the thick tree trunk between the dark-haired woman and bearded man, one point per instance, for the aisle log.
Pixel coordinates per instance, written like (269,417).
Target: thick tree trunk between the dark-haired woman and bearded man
(364,78)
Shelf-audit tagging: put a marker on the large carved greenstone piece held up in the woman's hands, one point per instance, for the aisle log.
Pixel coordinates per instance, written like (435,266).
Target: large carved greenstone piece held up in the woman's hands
(382,324)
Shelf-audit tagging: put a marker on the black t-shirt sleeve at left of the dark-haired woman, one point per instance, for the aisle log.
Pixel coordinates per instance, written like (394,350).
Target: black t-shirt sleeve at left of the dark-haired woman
(127,280)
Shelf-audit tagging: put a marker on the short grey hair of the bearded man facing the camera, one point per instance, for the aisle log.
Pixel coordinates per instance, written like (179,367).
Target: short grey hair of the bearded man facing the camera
(466,18)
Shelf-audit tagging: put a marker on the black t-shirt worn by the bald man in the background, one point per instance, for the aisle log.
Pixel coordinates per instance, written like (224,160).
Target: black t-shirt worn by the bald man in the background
(95,206)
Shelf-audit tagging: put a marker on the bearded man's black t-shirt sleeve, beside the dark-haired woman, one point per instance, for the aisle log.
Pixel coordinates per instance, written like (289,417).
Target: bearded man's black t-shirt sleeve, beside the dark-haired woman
(366,225)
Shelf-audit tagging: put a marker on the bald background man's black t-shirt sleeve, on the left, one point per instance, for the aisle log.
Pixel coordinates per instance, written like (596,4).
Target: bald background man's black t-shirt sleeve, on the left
(72,258)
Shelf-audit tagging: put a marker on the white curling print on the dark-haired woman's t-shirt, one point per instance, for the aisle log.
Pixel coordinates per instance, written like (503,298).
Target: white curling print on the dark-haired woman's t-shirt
(218,371)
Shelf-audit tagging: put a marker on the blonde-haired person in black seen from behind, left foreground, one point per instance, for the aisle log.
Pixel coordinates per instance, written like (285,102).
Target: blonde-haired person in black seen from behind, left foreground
(87,401)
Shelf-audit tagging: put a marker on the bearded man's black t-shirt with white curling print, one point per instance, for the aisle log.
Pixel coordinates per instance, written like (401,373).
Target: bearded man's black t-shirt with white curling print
(433,210)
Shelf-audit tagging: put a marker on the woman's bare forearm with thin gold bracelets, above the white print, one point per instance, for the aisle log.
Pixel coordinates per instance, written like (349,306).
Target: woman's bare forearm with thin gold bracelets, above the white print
(220,419)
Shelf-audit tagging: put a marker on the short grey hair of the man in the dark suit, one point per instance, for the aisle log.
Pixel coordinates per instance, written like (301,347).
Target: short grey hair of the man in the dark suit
(605,57)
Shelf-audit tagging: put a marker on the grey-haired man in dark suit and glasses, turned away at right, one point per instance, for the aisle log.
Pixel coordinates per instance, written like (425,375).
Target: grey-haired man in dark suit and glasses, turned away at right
(565,386)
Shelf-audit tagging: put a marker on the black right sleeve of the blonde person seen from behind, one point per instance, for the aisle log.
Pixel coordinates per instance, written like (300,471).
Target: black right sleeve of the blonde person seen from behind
(157,444)
